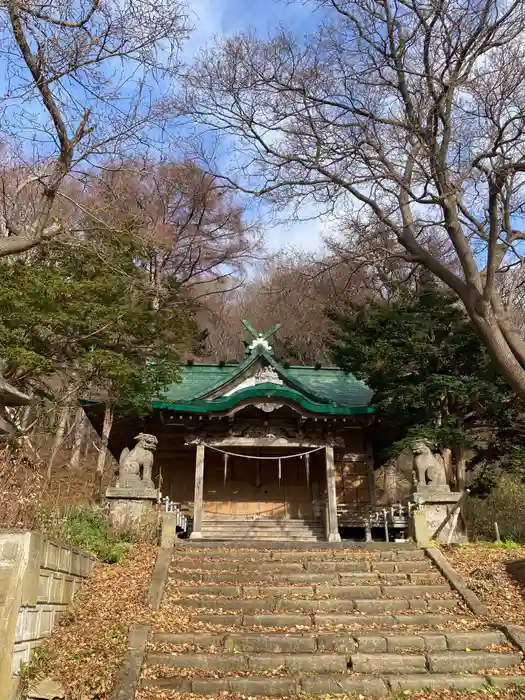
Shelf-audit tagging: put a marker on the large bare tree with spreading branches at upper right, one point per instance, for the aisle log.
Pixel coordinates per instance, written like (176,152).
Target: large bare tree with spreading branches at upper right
(400,114)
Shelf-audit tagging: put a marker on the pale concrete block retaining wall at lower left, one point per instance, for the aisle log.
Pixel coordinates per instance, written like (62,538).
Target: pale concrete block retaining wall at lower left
(38,580)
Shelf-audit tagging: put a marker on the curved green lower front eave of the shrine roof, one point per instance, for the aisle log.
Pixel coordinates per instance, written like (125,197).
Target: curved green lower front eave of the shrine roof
(261,393)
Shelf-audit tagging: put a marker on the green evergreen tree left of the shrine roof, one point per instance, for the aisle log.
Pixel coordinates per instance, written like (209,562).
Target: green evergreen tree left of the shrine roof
(83,310)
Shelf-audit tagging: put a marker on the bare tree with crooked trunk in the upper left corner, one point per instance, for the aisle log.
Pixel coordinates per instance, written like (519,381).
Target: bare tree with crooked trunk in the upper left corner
(81,81)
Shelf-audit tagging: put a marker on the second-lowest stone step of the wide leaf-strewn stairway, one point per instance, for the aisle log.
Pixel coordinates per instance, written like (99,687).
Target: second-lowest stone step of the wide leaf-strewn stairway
(320,663)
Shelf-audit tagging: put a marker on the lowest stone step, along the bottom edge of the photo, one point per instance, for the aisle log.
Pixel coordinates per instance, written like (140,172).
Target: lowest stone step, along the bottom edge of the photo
(329,683)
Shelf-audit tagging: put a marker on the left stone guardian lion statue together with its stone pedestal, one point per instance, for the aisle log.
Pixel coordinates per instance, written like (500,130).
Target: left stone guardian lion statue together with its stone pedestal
(132,500)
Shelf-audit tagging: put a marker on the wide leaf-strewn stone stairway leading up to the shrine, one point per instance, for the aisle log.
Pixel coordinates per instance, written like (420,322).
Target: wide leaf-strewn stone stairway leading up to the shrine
(374,620)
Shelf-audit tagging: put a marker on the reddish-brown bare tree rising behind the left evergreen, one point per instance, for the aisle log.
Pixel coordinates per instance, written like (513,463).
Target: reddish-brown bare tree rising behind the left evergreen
(195,232)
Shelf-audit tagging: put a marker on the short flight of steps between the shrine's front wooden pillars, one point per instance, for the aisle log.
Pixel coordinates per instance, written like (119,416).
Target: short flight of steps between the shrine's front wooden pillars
(262,529)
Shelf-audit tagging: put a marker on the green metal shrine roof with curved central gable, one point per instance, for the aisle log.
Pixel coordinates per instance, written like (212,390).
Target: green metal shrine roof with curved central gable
(324,390)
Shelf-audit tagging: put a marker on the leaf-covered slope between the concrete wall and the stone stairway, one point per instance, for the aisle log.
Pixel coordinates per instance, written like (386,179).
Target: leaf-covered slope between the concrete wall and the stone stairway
(86,649)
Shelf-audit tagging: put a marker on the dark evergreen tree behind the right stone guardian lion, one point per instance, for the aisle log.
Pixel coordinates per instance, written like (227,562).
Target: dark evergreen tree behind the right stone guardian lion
(431,375)
